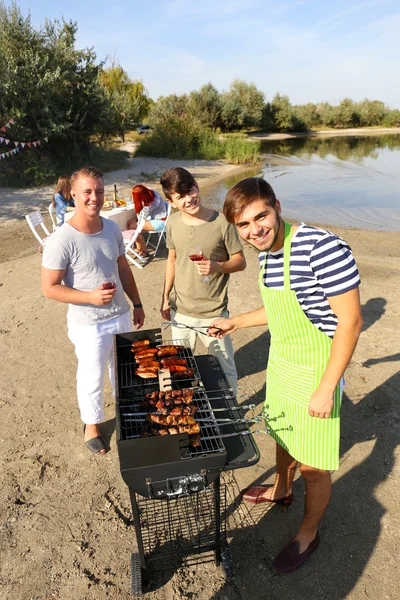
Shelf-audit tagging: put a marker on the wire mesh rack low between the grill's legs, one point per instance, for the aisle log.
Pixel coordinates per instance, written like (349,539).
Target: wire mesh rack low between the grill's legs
(173,526)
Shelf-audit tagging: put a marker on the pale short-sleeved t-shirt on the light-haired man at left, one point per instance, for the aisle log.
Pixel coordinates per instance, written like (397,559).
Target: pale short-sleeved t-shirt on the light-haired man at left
(89,260)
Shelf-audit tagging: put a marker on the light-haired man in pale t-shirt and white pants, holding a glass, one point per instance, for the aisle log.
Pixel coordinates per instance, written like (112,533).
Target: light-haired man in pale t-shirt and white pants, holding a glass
(84,265)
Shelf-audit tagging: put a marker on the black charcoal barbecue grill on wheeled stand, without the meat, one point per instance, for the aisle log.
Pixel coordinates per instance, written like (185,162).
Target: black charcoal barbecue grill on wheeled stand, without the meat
(176,495)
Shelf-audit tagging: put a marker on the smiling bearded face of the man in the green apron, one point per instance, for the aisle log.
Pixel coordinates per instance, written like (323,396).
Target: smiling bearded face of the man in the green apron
(261,225)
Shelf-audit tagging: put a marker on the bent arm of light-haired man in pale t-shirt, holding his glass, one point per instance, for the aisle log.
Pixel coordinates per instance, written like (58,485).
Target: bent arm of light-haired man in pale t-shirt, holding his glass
(52,288)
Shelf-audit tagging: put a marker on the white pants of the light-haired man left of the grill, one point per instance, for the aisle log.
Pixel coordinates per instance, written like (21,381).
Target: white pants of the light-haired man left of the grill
(94,349)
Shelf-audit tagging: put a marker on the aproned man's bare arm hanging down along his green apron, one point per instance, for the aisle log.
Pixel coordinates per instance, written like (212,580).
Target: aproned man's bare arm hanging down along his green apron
(347,308)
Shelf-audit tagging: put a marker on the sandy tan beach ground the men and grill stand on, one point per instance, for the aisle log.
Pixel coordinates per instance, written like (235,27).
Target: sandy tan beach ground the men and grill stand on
(66,522)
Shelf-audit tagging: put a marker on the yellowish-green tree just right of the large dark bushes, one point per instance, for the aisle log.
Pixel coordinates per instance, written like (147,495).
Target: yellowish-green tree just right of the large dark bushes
(128,100)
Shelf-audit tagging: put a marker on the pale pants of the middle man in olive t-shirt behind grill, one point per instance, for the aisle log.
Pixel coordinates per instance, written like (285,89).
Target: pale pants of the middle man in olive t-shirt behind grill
(222,349)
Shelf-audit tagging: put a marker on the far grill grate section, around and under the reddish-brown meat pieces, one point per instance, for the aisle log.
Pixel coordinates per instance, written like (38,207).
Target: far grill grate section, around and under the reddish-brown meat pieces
(129,381)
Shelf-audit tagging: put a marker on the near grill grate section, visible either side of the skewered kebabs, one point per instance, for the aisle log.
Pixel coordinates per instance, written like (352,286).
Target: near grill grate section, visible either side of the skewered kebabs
(133,427)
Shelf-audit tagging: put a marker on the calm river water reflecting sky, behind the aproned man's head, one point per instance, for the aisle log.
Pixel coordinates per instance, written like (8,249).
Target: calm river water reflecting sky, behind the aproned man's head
(347,181)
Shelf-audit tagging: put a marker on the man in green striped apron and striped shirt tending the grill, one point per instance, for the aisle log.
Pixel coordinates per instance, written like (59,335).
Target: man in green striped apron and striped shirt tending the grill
(309,284)
